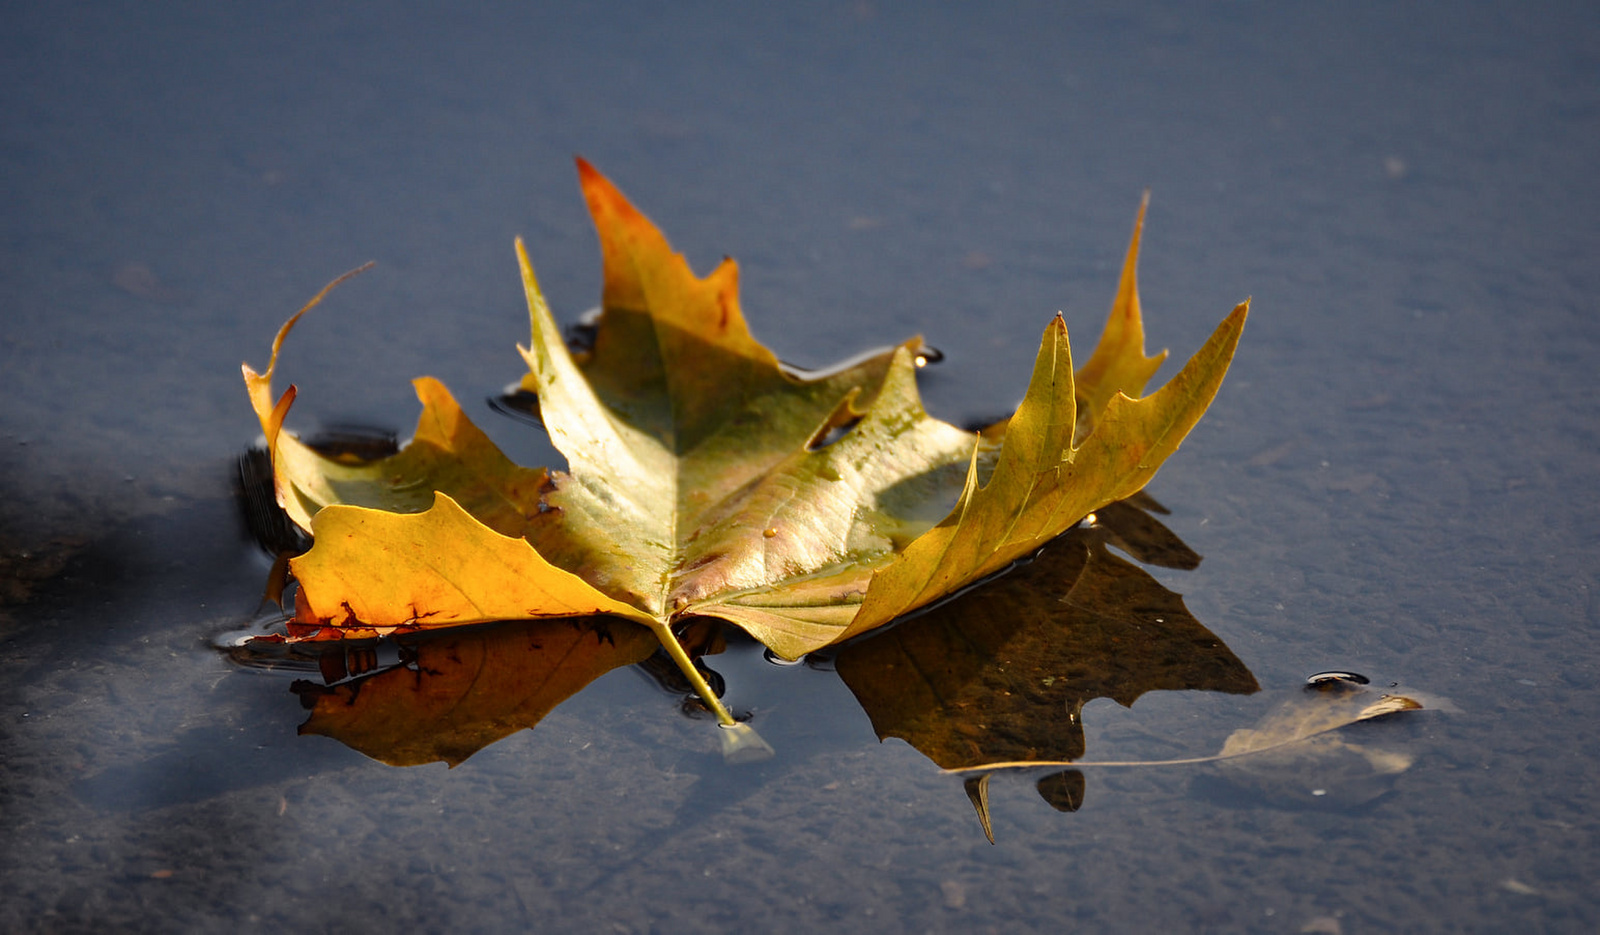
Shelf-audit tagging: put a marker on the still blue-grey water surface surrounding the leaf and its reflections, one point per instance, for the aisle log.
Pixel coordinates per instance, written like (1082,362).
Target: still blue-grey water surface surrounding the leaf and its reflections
(1398,476)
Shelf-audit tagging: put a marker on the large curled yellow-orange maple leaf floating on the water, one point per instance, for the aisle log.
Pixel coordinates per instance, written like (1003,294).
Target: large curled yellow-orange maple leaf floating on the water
(708,480)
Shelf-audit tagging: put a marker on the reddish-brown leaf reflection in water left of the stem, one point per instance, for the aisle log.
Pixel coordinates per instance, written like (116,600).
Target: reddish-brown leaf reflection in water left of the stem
(455,694)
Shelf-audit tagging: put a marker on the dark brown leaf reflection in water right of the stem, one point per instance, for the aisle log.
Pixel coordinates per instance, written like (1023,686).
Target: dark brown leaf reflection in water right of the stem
(1002,675)
